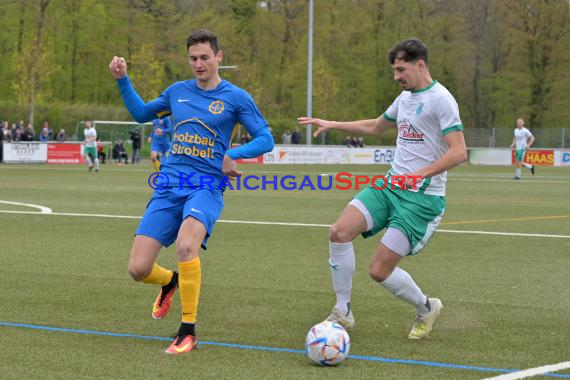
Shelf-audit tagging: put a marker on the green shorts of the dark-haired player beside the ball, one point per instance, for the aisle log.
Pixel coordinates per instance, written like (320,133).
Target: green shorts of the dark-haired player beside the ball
(416,215)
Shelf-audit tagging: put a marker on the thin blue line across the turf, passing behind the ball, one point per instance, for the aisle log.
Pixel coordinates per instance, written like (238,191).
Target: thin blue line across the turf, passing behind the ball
(277,349)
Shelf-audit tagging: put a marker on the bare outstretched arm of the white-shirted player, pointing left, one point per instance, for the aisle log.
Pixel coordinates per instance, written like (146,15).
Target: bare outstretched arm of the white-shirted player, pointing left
(359,127)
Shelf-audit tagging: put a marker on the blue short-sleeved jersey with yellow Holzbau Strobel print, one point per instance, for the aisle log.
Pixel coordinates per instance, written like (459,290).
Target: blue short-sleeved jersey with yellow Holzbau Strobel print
(203,125)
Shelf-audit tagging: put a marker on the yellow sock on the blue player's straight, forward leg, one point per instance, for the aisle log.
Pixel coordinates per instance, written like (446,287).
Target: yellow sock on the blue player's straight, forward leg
(189,282)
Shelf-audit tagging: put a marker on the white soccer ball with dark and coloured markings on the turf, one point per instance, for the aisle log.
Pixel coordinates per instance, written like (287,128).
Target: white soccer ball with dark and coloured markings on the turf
(327,343)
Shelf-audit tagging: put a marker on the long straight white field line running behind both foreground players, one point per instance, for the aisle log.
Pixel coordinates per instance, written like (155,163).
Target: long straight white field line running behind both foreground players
(282,224)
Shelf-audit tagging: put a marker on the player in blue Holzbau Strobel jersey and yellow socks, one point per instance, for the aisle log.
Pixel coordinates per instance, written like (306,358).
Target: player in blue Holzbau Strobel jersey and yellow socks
(205,111)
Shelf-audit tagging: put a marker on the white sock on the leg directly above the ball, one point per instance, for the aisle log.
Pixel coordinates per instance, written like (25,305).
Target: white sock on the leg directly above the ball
(342,265)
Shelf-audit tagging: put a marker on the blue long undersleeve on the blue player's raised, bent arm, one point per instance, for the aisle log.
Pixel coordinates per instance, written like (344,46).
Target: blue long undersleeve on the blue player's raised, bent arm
(141,111)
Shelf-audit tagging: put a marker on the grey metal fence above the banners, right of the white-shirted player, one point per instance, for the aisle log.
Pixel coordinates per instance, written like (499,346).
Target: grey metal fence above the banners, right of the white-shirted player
(503,137)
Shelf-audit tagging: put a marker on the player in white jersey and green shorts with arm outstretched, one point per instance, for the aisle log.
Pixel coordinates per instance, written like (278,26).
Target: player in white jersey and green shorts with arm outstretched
(430,142)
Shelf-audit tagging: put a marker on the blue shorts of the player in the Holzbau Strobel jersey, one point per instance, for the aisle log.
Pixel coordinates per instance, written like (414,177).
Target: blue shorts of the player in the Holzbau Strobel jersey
(167,209)
